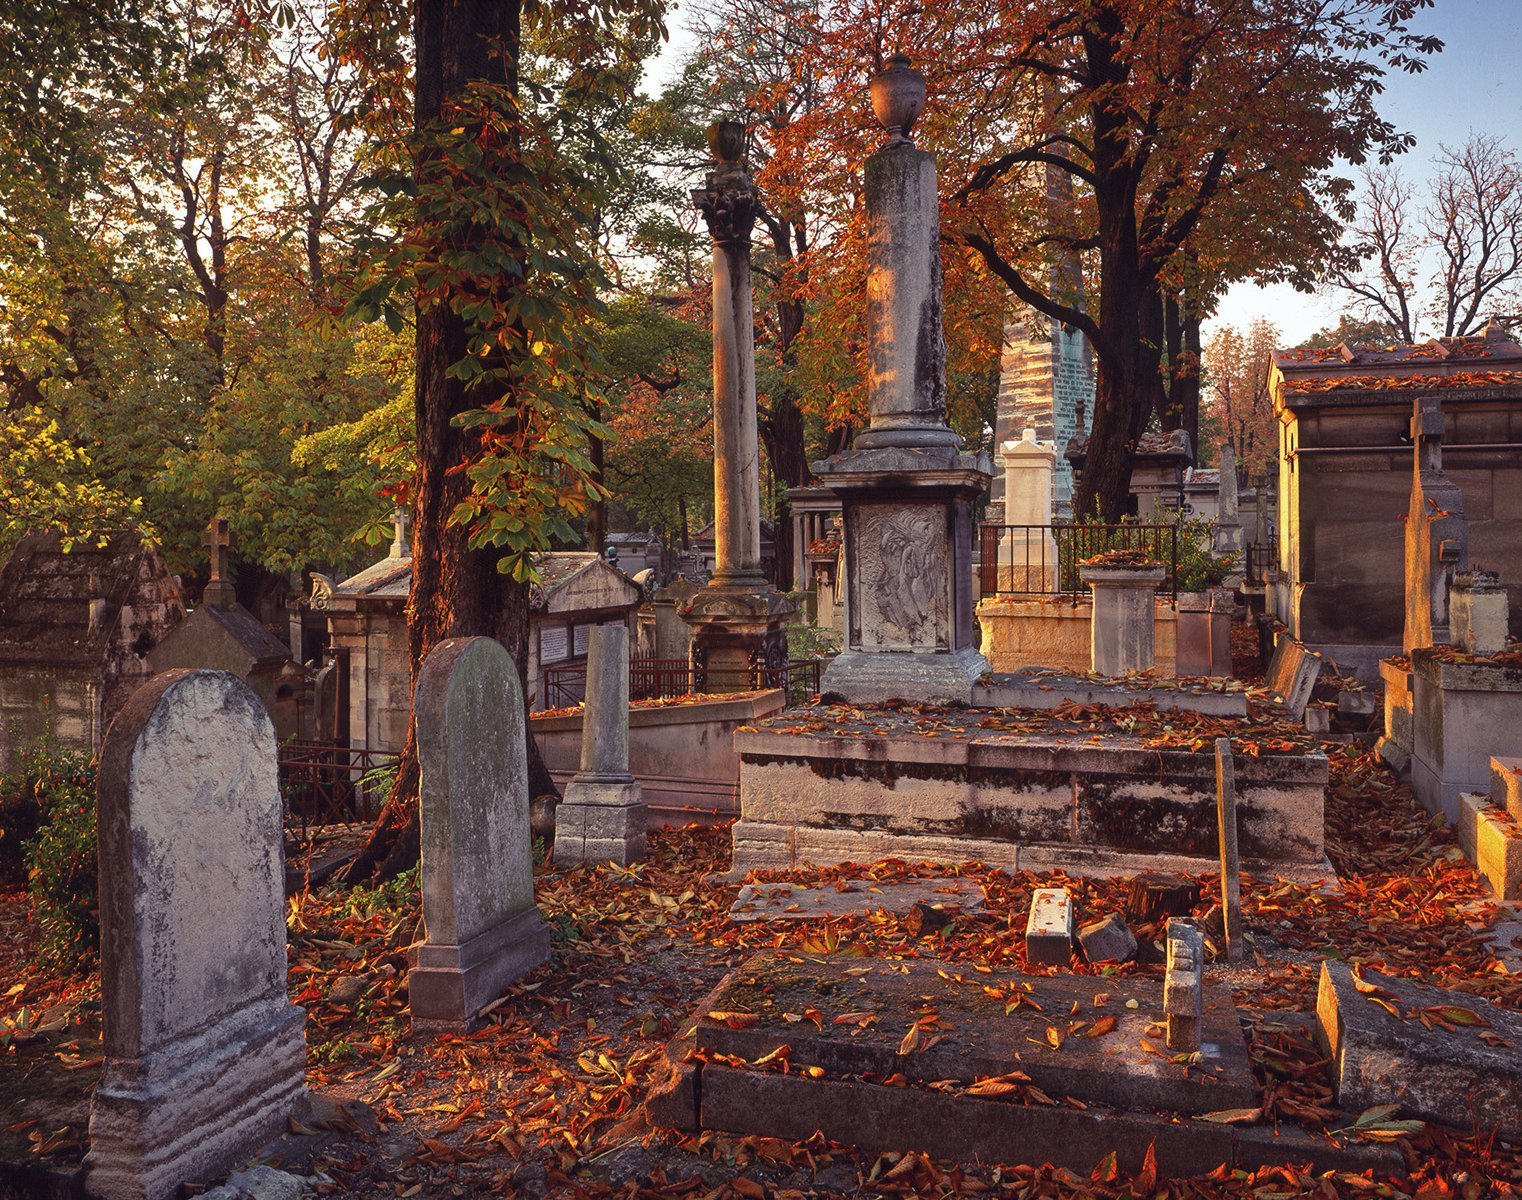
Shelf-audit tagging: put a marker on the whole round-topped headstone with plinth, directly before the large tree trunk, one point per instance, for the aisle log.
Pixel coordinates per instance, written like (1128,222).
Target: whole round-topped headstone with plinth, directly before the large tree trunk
(482,928)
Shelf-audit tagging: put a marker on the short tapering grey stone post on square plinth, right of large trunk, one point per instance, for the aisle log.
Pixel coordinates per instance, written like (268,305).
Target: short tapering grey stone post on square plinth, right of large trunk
(603,814)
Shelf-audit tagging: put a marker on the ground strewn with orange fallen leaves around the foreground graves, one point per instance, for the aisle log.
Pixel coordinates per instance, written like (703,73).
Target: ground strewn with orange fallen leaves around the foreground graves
(544,1100)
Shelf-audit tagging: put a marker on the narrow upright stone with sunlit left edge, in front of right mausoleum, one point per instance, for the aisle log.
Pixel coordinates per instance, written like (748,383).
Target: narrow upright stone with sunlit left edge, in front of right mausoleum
(1438,538)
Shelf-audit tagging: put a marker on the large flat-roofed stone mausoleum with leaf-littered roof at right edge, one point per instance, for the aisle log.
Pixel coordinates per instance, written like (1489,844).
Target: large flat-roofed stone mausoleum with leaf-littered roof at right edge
(1345,482)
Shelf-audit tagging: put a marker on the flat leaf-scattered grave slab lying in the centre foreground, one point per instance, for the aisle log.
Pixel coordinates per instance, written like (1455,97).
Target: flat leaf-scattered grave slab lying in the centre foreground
(978,1038)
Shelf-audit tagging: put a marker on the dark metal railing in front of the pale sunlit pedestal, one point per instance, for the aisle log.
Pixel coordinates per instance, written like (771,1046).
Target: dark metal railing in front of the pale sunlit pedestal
(1043,560)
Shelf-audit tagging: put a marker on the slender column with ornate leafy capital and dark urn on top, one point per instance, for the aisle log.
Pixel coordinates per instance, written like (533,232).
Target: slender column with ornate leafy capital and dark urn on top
(739,621)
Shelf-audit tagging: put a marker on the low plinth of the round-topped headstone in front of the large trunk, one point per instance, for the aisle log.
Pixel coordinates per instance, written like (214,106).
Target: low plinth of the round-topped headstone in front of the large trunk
(451,985)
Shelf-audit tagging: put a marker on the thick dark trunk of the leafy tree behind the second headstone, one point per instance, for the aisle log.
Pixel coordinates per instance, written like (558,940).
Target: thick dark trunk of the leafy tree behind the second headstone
(456,592)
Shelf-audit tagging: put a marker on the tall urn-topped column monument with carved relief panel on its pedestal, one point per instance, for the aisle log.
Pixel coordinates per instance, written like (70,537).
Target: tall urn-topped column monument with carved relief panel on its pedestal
(906,488)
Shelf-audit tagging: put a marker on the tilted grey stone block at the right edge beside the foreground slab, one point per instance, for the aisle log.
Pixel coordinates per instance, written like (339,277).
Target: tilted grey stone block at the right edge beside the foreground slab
(1463,1074)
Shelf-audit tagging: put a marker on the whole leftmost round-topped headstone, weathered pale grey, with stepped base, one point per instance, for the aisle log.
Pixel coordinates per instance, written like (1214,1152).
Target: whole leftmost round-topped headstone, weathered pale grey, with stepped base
(205,1053)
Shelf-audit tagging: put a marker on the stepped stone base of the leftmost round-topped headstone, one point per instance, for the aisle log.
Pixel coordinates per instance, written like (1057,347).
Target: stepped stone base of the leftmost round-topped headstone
(196,1108)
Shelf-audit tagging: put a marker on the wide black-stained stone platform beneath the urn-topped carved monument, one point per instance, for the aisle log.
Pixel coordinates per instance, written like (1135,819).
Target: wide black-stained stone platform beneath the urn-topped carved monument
(818,788)
